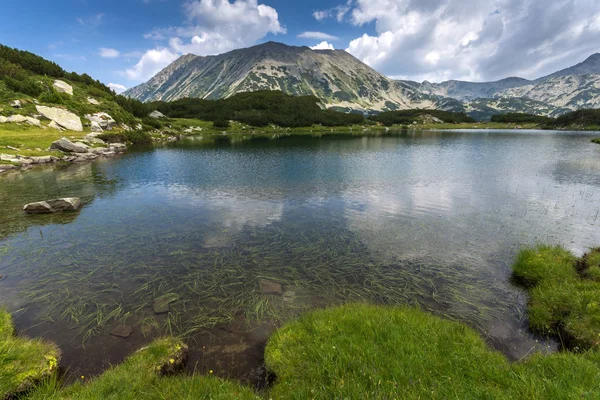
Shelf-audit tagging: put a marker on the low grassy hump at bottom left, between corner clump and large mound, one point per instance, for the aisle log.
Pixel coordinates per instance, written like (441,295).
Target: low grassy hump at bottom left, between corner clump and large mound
(148,374)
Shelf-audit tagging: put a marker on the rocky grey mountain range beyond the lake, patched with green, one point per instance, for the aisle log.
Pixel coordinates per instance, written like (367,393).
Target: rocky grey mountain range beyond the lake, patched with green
(343,82)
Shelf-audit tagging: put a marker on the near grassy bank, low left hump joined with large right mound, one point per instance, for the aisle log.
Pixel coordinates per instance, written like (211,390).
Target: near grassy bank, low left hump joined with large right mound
(353,351)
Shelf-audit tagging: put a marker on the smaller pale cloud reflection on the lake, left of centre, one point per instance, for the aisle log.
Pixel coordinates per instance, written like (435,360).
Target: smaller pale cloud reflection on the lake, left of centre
(228,212)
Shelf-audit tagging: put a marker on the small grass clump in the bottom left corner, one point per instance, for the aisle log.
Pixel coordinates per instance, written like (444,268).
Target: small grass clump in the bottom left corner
(23,362)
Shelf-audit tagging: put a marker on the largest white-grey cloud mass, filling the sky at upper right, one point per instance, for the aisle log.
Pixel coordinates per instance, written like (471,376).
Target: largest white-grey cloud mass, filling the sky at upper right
(471,39)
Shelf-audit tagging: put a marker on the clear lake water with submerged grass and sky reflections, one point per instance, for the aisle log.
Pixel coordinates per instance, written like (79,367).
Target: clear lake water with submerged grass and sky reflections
(433,219)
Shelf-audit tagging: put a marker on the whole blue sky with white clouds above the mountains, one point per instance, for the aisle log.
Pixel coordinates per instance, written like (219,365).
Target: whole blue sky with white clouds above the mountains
(126,42)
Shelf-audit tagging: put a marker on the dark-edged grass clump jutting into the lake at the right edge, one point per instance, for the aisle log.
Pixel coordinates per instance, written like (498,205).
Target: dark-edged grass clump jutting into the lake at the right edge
(564,294)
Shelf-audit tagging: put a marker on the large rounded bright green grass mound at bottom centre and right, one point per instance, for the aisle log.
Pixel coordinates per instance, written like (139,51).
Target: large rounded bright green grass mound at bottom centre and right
(362,351)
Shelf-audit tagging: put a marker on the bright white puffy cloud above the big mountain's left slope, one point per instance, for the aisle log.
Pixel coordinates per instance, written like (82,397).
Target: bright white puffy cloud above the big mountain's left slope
(212,27)
